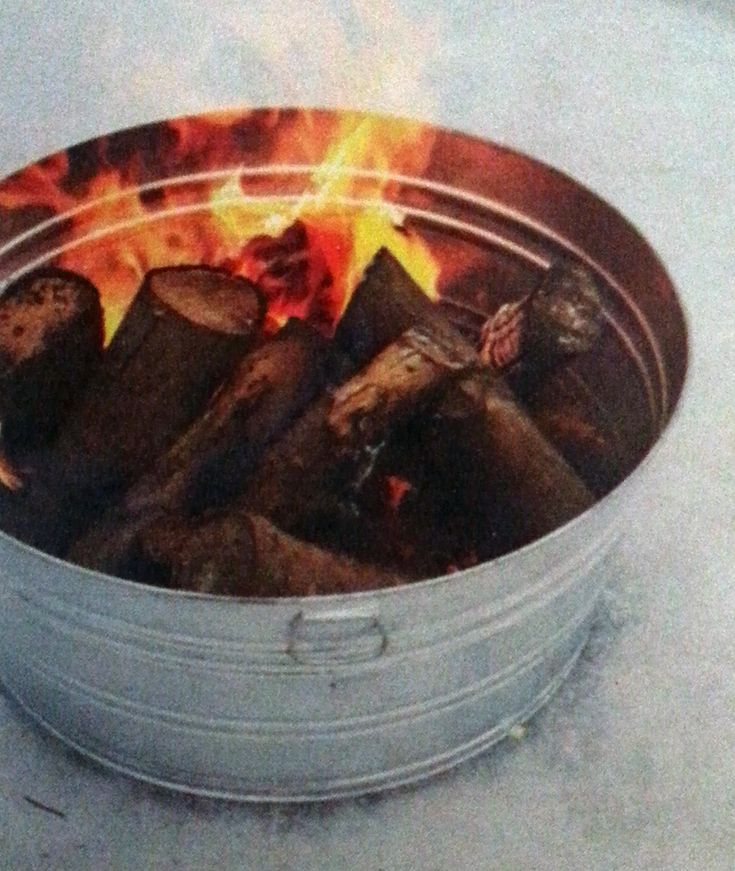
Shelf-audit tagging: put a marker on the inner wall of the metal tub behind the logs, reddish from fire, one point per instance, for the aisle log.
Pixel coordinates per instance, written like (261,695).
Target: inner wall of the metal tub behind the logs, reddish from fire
(493,220)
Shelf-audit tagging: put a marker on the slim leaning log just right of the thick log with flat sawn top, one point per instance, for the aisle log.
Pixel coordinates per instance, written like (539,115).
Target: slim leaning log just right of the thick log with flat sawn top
(206,466)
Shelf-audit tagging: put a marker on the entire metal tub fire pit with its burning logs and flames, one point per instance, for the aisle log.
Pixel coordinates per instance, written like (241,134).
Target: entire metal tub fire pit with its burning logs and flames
(400,290)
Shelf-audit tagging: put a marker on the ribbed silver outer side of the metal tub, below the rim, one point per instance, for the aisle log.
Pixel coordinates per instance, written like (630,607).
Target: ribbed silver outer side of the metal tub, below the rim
(250,722)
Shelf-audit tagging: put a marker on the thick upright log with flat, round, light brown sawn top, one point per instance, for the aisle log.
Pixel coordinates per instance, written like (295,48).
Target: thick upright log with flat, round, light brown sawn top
(184,331)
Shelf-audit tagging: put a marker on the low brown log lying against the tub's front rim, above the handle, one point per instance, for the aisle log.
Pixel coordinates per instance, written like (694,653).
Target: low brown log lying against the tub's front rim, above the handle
(243,554)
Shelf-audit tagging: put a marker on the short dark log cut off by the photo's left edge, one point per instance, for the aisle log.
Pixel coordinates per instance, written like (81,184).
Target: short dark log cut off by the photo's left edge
(51,338)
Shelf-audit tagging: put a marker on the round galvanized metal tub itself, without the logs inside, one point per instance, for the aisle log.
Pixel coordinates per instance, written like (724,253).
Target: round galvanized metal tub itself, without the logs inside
(313,698)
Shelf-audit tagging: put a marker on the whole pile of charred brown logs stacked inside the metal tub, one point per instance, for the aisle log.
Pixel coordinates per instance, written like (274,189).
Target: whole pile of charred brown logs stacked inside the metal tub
(201,452)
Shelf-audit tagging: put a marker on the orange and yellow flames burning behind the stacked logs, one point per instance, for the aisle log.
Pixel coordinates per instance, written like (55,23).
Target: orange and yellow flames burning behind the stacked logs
(233,196)
